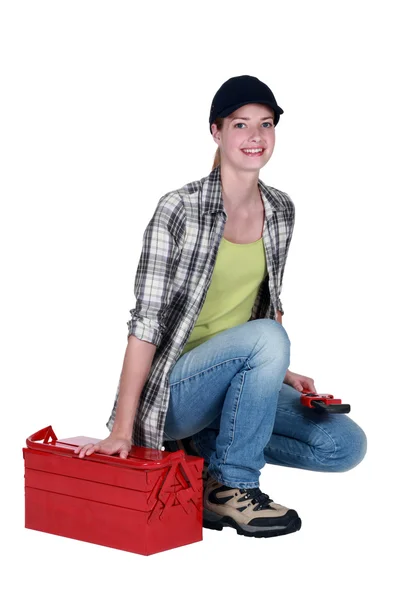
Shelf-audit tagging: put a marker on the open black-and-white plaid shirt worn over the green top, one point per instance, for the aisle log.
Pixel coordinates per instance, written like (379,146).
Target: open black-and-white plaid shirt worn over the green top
(180,246)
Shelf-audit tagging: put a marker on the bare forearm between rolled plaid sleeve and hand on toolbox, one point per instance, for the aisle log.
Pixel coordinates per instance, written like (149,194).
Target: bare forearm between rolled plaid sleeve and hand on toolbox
(136,367)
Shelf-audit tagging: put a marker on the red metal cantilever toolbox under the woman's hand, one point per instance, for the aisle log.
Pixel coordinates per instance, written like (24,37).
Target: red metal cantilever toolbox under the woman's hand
(147,503)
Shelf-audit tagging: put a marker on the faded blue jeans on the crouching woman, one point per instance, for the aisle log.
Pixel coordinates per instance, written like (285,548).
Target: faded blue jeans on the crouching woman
(228,394)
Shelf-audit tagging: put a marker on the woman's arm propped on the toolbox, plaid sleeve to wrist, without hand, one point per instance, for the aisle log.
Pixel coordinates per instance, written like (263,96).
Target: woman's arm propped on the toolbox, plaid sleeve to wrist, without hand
(153,291)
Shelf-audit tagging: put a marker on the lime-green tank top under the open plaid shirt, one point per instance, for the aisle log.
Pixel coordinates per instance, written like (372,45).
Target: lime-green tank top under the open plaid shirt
(238,272)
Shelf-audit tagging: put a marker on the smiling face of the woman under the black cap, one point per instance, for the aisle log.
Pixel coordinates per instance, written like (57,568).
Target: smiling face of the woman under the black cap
(249,127)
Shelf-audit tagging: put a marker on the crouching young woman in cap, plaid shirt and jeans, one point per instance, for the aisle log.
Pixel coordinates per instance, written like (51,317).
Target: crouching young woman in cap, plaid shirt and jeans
(207,361)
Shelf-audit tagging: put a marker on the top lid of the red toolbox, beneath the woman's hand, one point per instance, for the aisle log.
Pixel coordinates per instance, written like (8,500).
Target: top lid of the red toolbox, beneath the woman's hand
(139,457)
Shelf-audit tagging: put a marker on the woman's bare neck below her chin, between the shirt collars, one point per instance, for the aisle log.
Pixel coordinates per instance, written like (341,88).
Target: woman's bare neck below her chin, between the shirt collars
(240,190)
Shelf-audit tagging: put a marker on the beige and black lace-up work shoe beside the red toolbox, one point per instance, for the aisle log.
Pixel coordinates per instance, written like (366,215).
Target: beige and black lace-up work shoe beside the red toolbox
(249,511)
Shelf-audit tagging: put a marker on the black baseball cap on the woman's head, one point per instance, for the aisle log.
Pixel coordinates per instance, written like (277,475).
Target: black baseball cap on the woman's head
(241,90)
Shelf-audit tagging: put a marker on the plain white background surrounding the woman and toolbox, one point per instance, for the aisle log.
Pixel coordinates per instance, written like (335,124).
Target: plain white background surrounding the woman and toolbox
(104,108)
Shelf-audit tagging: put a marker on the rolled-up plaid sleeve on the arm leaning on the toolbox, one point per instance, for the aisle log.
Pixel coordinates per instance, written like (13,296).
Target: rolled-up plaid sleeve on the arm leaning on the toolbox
(156,269)
